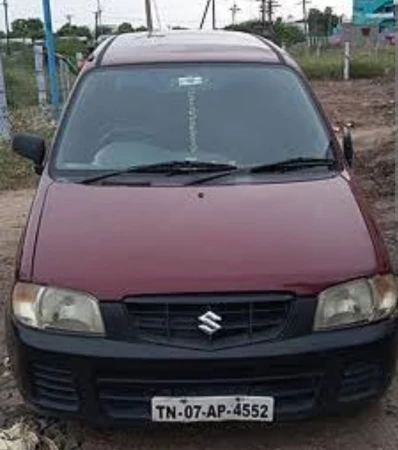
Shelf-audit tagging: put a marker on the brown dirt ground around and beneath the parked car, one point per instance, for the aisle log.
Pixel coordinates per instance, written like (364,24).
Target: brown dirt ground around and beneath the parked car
(370,107)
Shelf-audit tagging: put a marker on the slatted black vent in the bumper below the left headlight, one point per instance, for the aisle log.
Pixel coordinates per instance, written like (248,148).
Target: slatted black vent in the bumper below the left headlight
(53,386)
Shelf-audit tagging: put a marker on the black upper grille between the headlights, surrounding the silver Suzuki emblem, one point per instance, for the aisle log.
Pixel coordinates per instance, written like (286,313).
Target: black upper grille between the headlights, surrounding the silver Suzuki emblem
(177,322)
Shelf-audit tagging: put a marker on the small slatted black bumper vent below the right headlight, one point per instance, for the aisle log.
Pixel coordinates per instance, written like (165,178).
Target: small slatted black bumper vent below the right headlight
(360,380)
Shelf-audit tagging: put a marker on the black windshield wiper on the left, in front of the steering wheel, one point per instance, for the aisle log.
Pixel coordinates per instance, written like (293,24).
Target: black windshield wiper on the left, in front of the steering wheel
(168,167)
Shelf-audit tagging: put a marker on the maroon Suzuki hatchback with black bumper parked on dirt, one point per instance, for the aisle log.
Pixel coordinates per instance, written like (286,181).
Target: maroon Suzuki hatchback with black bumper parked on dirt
(197,249)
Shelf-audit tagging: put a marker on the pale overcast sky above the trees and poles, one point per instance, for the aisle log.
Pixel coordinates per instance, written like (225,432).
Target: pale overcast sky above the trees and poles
(185,13)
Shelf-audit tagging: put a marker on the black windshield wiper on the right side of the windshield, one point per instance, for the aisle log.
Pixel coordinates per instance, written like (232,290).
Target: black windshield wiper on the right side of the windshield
(280,166)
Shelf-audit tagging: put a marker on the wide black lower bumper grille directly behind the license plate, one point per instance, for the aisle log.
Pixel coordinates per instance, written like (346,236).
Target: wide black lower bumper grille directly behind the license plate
(123,397)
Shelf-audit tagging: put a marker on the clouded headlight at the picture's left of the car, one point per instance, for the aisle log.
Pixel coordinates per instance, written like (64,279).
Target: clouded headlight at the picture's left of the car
(56,309)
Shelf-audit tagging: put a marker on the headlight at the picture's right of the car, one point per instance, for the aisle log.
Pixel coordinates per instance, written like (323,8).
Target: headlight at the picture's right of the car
(356,302)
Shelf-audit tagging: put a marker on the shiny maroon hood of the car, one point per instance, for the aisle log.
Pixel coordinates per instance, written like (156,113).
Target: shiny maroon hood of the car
(114,241)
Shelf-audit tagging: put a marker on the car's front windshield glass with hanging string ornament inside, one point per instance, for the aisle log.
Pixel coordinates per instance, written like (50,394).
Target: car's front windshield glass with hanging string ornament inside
(236,114)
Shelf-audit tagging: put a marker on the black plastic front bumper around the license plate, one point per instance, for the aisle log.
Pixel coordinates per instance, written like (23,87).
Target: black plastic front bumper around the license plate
(105,381)
